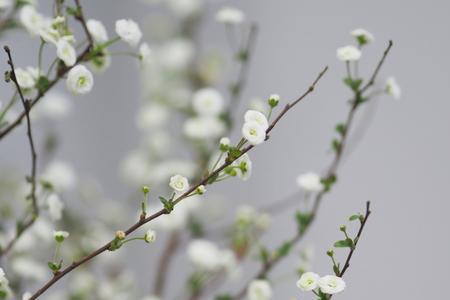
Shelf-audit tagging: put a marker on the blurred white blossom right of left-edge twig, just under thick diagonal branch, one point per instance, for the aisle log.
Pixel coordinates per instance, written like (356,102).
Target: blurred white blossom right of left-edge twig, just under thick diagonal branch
(54,105)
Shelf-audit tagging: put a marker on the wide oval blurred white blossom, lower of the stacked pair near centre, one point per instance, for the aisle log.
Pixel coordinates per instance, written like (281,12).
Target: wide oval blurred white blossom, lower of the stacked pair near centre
(203,128)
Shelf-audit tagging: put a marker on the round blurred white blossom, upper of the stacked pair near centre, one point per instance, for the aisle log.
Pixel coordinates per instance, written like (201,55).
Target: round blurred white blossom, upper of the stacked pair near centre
(207,102)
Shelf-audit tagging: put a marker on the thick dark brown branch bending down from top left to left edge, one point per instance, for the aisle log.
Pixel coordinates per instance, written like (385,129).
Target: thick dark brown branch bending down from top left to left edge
(85,54)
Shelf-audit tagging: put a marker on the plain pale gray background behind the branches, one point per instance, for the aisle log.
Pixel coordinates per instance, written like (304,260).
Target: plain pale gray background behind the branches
(401,165)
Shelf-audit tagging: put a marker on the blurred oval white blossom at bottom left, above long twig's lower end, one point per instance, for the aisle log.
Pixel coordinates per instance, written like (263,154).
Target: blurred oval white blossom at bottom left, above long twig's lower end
(29,269)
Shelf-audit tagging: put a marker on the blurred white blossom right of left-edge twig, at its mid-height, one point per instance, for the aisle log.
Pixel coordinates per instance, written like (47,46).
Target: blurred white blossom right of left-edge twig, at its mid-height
(61,175)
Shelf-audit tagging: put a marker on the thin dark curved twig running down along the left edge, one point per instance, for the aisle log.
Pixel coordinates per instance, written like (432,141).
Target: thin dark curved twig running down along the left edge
(32,177)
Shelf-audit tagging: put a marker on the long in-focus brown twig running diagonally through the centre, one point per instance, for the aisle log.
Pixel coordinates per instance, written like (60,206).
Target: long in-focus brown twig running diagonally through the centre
(143,221)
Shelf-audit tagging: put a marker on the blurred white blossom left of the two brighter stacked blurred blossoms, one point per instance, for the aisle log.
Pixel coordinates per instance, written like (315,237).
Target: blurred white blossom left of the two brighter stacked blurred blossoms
(151,116)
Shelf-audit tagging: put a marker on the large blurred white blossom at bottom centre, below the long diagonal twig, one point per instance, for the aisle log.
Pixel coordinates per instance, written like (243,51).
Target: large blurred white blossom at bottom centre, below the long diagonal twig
(204,255)
